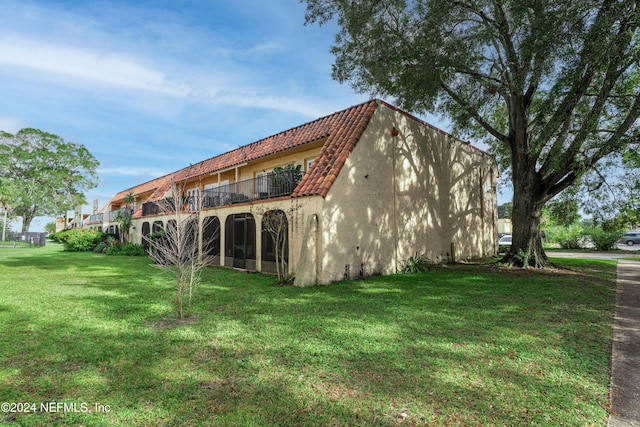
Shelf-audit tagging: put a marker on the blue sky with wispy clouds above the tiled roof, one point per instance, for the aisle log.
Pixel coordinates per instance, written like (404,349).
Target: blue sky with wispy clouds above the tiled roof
(152,86)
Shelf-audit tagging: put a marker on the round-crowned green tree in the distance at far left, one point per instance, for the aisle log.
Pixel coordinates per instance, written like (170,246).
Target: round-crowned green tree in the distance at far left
(42,174)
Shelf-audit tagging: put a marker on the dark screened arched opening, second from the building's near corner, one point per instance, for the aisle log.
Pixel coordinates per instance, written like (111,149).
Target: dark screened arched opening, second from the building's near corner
(240,241)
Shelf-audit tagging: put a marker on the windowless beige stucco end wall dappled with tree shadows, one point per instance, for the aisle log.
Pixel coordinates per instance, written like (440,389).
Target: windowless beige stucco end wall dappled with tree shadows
(418,192)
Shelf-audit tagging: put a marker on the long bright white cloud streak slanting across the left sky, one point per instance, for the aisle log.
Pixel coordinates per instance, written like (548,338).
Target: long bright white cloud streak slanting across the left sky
(120,70)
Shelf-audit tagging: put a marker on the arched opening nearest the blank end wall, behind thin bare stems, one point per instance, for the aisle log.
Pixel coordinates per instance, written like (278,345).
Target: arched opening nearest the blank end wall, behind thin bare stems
(275,243)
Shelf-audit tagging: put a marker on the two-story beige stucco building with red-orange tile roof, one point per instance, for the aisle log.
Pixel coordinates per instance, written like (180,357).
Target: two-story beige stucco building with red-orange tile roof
(363,189)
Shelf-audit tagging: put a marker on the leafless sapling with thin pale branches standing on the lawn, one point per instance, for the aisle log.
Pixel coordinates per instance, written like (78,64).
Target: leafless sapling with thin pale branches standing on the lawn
(175,250)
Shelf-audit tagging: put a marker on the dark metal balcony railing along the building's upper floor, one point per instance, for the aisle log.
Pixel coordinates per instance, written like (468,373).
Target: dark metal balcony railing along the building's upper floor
(267,186)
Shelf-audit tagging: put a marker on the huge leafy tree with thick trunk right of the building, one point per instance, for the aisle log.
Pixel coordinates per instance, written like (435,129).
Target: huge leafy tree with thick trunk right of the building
(554,84)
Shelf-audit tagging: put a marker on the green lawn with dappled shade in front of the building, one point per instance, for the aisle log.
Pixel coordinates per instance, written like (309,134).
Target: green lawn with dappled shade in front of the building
(462,345)
